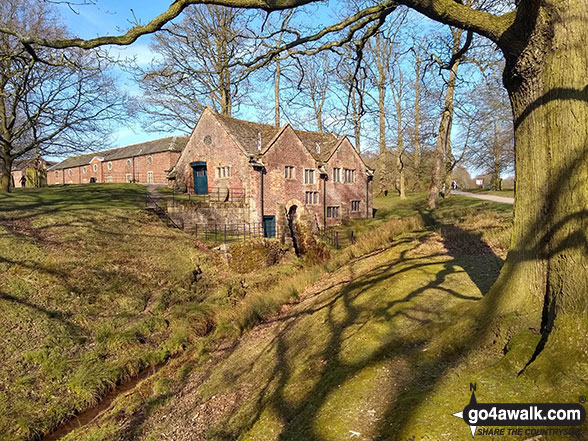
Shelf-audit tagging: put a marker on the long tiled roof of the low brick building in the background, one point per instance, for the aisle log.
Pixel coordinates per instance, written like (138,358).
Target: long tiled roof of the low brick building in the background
(171,143)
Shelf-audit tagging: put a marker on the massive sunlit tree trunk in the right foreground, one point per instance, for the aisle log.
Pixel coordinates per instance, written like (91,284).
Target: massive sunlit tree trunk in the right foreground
(547,267)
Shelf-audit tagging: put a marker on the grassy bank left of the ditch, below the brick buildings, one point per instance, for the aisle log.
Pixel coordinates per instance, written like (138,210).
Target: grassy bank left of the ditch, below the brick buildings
(95,289)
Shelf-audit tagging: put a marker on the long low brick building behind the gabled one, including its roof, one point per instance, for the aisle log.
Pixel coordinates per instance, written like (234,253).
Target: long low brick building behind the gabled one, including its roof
(144,163)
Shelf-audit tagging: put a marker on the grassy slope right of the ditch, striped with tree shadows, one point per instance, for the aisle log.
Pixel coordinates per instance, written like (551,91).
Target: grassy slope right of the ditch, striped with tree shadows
(382,347)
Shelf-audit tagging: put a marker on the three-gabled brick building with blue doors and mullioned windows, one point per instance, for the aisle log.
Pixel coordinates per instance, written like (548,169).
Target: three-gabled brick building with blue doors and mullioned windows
(281,171)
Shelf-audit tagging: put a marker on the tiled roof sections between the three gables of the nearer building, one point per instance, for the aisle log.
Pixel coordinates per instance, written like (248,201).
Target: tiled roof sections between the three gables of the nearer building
(247,133)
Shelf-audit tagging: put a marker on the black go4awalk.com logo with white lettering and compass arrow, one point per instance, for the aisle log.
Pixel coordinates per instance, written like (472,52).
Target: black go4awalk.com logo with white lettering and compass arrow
(509,418)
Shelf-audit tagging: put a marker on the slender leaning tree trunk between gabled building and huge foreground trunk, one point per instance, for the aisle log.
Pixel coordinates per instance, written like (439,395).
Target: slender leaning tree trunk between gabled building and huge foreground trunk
(443,137)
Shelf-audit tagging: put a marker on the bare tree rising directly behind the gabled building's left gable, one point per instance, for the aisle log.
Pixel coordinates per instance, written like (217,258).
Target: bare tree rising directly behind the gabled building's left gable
(195,65)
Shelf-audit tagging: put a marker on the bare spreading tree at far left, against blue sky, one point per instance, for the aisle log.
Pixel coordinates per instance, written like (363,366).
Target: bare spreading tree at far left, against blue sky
(59,107)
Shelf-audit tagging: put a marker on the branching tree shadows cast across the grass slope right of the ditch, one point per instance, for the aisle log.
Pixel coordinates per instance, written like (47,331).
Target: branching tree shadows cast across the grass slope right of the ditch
(346,315)
